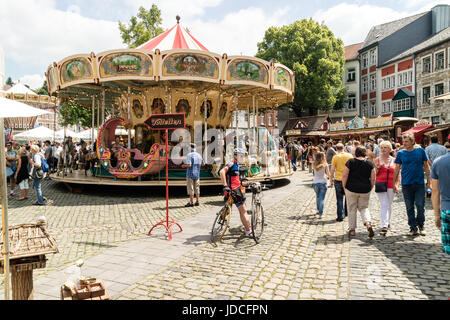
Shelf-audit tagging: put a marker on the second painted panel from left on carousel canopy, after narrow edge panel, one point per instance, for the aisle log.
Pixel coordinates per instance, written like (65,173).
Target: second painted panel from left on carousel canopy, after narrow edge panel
(76,70)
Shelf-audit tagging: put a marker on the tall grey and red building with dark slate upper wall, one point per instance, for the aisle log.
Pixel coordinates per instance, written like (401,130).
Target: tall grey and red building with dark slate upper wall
(383,74)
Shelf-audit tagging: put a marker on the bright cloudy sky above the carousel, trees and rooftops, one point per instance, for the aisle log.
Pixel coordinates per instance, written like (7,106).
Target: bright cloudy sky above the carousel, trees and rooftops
(35,33)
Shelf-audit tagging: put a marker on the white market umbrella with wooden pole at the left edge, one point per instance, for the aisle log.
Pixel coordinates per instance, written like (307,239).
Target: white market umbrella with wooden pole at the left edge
(9,109)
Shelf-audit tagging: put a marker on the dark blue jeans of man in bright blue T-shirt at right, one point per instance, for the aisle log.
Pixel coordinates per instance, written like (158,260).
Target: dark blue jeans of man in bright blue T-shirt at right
(414,194)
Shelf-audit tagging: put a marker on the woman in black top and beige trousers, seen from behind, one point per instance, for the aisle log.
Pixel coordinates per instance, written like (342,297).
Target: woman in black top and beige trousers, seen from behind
(358,180)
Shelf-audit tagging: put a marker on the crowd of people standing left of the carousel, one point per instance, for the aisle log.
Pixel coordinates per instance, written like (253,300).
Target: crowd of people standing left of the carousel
(34,161)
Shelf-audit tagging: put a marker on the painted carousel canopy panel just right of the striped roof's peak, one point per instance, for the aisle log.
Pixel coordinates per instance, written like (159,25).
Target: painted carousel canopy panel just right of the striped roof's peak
(190,65)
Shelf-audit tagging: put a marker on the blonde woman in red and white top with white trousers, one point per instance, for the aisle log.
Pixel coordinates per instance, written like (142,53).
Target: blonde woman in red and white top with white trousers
(385,166)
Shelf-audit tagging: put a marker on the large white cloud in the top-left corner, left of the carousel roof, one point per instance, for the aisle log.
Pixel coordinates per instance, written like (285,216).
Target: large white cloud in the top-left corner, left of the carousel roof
(34,33)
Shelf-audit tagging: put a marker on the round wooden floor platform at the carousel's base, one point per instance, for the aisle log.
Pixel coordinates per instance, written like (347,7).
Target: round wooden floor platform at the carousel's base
(79,178)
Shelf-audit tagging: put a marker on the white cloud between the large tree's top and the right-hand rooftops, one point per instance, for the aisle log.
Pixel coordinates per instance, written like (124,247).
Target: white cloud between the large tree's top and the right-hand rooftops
(352,22)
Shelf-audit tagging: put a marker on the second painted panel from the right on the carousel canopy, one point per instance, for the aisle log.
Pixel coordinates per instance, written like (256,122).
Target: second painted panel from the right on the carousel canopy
(243,70)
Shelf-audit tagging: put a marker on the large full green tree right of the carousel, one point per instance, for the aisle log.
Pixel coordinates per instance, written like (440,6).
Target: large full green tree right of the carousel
(317,58)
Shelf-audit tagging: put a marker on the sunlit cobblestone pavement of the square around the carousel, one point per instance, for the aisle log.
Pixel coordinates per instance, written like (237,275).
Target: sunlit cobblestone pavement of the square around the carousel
(300,257)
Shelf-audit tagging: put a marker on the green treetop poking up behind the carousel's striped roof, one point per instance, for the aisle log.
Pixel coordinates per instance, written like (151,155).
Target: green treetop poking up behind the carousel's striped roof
(143,27)
